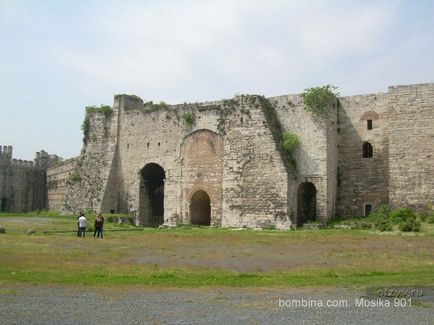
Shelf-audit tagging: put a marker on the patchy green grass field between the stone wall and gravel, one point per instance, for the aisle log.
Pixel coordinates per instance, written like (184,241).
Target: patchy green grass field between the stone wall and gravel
(195,257)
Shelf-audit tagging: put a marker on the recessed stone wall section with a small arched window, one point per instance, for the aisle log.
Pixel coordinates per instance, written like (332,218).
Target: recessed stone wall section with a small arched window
(362,180)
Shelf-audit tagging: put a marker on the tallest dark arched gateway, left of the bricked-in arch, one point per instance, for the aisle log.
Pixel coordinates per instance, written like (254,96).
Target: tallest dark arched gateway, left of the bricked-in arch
(151,205)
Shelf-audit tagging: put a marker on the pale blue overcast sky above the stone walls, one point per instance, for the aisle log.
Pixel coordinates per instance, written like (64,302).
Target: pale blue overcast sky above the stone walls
(58,56)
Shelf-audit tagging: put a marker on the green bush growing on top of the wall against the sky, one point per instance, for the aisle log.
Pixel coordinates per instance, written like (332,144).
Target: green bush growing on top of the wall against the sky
(317,99)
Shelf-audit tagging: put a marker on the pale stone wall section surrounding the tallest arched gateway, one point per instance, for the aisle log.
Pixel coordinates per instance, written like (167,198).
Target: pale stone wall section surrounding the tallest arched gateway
(147,136)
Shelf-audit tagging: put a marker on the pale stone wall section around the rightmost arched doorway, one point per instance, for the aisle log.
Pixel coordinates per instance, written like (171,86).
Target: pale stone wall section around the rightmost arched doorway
(316,157)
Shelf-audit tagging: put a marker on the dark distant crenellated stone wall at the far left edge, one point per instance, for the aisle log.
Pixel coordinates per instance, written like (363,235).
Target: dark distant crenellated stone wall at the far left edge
(23,184)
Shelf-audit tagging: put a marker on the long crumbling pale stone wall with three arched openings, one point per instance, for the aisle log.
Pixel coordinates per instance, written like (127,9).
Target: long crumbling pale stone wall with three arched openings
(220,163)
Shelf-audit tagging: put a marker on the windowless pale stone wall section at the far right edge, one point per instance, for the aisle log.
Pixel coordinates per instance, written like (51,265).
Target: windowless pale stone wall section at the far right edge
(411,145)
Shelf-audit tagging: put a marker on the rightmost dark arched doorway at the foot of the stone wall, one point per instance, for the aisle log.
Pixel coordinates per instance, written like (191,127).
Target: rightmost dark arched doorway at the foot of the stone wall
(306,203)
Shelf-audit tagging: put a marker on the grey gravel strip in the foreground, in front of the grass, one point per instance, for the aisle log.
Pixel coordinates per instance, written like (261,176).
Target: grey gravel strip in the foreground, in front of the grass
(69,305)
